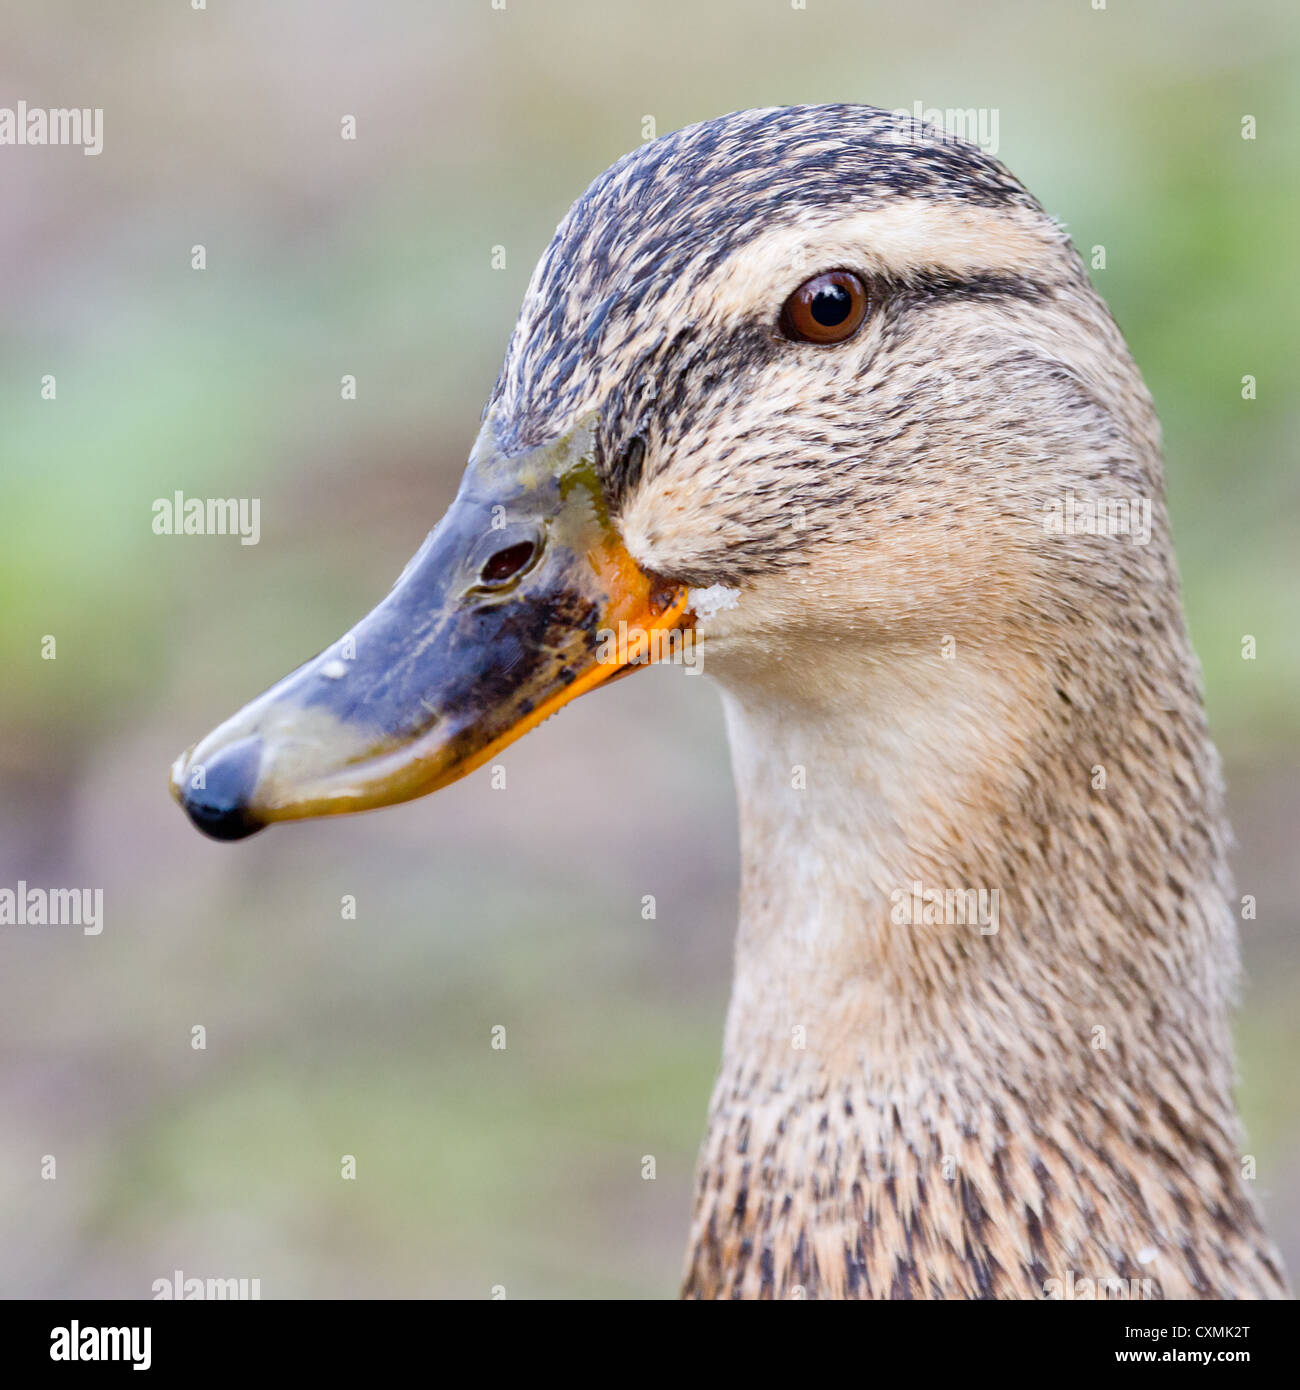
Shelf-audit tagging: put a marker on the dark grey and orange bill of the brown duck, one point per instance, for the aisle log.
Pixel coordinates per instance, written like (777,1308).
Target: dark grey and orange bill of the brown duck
(522,600)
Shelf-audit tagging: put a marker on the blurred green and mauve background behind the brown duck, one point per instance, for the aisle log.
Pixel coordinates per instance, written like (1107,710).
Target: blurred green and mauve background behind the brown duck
(476,129)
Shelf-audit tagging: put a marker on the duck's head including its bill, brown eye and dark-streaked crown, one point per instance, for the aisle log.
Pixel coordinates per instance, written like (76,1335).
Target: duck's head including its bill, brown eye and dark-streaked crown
(824,358)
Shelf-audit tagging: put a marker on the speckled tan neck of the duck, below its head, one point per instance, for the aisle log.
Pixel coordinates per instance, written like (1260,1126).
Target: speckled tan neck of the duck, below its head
(978,1040)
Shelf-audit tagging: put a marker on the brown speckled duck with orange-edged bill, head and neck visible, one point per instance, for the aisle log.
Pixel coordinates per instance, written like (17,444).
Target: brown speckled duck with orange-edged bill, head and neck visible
(824,395)
